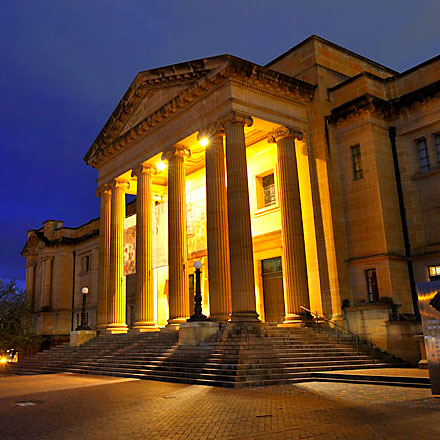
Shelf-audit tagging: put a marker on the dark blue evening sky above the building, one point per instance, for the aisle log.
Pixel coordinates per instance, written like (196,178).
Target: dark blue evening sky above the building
(64,64)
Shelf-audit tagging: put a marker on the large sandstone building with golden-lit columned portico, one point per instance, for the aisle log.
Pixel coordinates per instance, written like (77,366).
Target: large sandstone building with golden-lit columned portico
(311,181)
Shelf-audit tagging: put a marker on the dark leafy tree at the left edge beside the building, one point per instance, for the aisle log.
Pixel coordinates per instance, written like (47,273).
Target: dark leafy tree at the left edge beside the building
(15,318)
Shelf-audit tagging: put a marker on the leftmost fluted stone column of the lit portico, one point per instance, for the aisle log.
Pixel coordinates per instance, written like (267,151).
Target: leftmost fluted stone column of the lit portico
(104,255)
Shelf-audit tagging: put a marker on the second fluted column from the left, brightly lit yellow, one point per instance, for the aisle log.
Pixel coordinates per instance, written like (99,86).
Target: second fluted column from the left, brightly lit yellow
(116,309)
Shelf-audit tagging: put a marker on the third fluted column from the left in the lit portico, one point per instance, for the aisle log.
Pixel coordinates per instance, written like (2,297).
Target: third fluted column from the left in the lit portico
(144,309)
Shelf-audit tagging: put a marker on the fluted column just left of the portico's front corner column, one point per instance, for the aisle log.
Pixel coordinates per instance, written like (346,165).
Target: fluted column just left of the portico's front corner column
(217,229)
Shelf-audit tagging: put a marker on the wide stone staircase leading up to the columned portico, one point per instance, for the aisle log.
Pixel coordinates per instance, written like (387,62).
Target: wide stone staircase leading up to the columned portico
(238,355)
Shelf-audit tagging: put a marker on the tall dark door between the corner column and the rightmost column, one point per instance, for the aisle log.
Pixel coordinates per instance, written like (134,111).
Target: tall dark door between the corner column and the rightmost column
(272,272)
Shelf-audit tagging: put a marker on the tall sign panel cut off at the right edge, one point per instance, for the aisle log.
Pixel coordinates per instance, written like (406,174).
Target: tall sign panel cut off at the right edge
(429,305)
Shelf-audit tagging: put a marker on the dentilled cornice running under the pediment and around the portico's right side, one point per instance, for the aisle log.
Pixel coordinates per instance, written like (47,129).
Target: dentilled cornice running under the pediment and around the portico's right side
(235,69)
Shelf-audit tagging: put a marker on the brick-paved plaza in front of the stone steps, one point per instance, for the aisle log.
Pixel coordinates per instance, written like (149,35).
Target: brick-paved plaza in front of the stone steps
(67,406)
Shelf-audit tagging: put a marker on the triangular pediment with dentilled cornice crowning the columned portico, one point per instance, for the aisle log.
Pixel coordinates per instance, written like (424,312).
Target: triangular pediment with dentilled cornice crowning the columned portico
(157,94)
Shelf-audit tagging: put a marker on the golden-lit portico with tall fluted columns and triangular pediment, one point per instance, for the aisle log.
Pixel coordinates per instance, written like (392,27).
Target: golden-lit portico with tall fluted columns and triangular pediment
(219,108)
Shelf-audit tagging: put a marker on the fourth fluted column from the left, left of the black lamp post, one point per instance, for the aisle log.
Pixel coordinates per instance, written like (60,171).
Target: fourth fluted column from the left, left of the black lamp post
(177,246)
